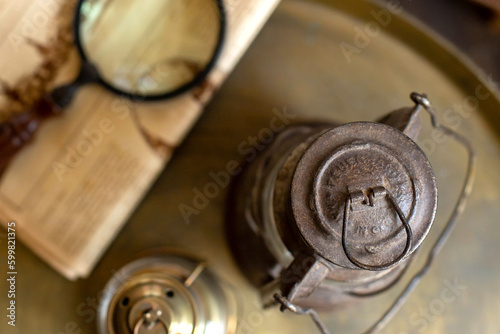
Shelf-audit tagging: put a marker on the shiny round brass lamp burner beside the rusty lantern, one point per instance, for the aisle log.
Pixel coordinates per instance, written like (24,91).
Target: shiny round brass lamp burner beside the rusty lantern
(166,294)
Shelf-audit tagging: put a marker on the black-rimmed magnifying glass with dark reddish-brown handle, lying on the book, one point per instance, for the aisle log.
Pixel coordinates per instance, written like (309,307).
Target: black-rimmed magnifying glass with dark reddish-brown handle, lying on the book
(141,49)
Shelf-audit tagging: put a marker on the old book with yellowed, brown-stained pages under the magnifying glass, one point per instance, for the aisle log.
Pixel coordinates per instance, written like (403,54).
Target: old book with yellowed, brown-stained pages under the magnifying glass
(72,189)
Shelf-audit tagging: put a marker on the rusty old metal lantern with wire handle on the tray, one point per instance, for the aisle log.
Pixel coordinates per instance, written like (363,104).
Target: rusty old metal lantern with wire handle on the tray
(329,214)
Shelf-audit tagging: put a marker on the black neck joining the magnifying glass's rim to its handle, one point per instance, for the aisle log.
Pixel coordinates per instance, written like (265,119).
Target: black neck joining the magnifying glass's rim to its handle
(62,96)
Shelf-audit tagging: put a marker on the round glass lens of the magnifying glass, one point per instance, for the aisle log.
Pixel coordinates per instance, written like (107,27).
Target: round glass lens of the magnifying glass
(150,47)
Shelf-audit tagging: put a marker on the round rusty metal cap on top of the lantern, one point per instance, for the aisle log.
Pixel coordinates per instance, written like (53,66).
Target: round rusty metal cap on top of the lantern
(383,179)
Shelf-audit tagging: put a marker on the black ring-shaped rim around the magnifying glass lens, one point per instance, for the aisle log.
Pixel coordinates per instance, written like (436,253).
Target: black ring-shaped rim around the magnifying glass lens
(95,77)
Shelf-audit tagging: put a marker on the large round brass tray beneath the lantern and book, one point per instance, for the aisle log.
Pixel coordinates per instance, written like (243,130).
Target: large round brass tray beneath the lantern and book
(297,63)
